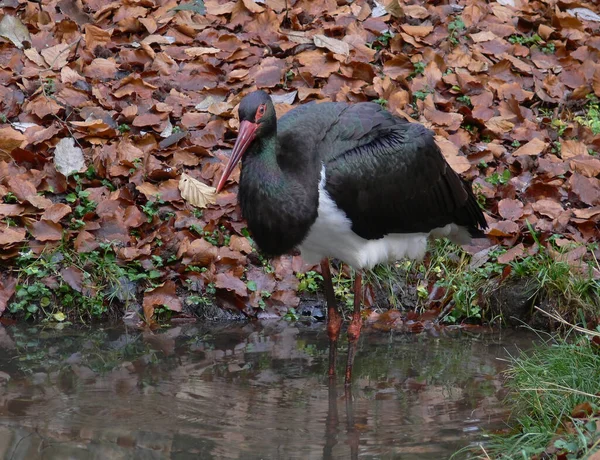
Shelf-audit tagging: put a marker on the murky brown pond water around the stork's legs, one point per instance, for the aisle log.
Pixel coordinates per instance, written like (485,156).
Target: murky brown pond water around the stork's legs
(245,391)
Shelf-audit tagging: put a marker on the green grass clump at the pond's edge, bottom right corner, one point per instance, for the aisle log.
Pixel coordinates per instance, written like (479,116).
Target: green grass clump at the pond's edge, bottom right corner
(546,384)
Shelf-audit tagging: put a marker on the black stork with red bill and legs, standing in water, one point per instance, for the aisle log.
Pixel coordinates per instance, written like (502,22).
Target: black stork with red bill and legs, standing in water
(348,181)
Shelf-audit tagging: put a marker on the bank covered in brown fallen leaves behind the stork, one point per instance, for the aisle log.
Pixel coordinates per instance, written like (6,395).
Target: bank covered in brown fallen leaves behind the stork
(103,106)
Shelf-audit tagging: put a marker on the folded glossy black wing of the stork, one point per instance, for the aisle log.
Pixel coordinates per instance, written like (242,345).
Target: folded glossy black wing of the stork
(389,176)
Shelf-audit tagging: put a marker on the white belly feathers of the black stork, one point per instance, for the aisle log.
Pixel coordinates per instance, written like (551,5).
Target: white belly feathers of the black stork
(331,236)
